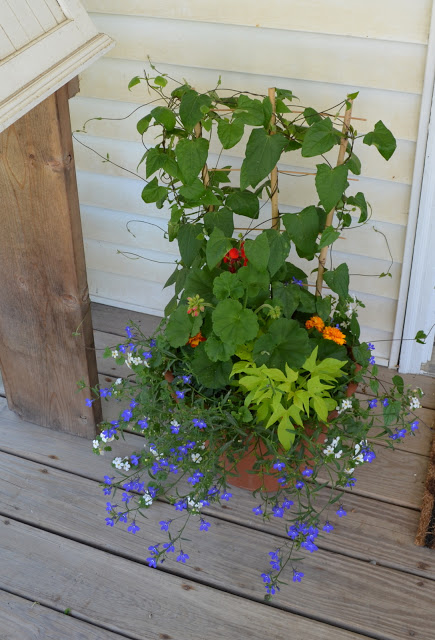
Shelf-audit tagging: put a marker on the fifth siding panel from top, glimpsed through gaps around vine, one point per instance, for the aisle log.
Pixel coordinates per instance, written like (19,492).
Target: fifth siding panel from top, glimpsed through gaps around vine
(389,200)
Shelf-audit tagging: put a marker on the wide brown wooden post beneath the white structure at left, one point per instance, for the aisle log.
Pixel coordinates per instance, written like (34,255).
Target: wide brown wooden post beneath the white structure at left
(43,293)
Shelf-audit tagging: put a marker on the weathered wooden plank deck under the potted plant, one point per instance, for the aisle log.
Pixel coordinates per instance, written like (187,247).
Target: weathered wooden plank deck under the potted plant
(368,579)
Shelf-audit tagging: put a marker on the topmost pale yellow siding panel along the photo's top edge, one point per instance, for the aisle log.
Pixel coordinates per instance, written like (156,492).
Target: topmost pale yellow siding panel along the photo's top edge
(389,19)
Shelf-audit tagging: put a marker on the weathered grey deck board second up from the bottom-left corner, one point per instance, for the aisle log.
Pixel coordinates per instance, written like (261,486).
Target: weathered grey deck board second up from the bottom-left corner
(133,599)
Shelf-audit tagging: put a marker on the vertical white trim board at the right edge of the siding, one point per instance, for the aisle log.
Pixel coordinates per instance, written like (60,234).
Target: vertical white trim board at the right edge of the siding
(414,293)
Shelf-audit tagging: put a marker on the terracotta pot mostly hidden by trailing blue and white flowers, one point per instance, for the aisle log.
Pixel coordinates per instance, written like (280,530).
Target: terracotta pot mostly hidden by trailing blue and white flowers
(256,480)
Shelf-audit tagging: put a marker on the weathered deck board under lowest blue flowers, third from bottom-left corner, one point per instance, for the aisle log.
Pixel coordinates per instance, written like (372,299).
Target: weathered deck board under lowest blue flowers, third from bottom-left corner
(55,501)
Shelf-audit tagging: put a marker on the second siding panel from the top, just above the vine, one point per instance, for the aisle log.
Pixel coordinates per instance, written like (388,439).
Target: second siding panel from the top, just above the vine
(334,59)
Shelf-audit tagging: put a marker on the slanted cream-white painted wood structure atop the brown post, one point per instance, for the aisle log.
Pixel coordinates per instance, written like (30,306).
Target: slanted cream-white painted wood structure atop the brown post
(43,45)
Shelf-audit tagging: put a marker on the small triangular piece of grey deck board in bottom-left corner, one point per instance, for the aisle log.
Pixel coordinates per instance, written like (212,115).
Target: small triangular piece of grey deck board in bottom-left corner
(25,620)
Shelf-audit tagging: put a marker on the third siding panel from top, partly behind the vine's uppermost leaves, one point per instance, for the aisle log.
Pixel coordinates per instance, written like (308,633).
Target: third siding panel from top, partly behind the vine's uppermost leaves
(108,79)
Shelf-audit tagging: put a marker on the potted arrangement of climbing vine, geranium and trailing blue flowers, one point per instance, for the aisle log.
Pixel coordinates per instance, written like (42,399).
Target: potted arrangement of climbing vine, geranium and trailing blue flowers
(250,379)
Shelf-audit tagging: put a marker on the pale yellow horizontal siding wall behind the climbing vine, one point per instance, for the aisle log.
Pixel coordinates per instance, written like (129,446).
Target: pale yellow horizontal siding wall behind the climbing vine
(322,50)
